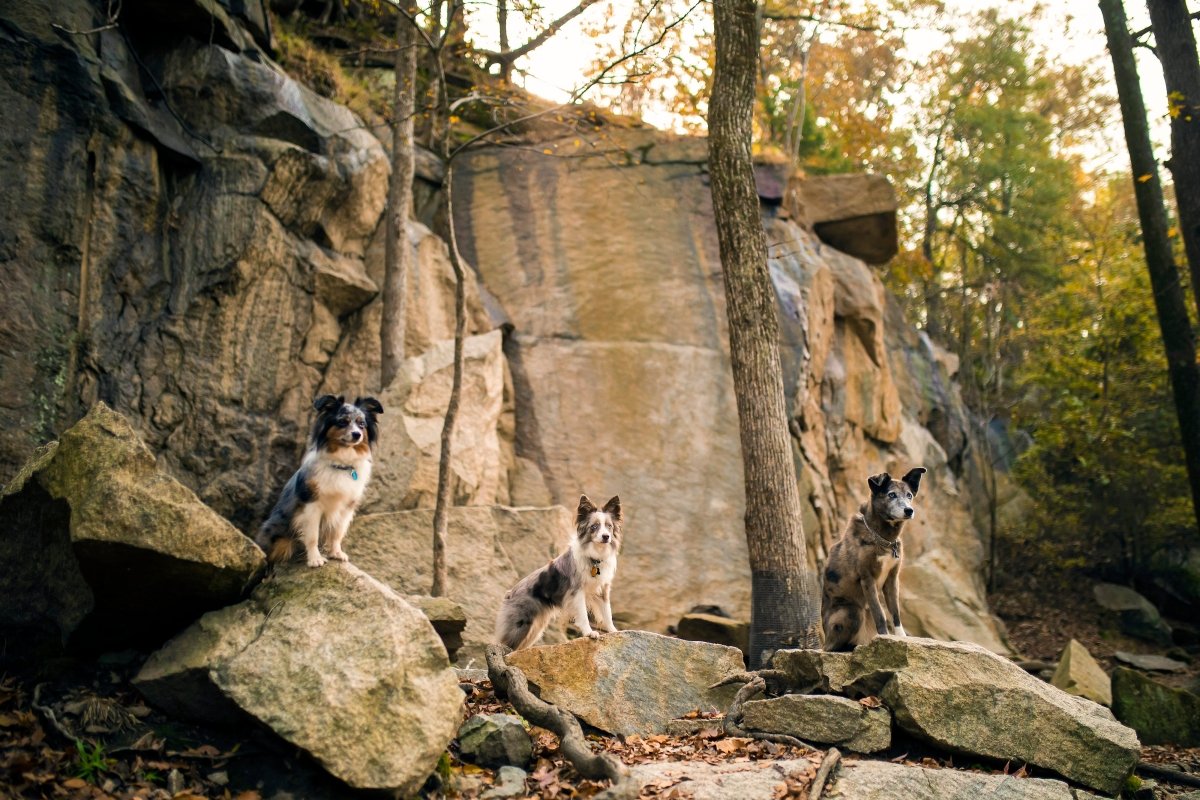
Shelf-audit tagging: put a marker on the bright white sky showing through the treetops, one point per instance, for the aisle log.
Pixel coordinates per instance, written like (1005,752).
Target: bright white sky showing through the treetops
(1072,29)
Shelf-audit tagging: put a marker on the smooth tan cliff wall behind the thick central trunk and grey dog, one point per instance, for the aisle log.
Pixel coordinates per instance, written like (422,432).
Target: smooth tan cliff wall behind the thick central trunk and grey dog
(629,305)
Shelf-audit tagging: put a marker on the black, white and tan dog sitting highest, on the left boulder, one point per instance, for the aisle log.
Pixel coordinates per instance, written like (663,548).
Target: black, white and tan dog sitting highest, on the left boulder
(319,503)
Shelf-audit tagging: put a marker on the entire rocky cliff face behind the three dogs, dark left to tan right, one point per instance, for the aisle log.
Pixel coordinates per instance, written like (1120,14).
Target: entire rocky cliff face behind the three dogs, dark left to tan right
(194,238)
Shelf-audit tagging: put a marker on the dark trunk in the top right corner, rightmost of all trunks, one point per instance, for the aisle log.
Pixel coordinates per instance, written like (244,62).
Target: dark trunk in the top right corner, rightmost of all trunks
(1177,47)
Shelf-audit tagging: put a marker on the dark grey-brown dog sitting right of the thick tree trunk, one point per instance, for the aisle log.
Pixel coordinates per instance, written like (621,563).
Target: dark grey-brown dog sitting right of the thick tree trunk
(867,560)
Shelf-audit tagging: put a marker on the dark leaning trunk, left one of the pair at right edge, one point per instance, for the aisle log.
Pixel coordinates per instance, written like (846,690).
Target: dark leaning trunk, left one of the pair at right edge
(1165,274)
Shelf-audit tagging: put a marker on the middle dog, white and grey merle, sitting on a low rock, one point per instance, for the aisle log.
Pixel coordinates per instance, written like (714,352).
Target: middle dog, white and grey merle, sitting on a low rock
(579,581)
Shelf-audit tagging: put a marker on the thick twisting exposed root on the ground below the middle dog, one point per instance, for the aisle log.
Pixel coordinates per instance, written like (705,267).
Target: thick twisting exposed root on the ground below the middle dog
(512,683)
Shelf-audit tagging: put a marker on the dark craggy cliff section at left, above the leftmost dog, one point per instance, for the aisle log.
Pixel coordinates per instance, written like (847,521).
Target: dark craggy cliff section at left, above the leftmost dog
(205,262)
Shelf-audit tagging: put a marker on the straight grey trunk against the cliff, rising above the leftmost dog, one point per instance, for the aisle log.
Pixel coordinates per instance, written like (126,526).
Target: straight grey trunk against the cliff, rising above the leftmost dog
(398,249)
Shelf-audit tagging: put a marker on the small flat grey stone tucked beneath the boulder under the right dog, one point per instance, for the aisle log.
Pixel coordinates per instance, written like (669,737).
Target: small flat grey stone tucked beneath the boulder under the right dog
(823,719)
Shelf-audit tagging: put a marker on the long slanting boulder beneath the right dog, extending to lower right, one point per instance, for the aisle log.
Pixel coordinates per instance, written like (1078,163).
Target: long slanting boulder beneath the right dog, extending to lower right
(964,699)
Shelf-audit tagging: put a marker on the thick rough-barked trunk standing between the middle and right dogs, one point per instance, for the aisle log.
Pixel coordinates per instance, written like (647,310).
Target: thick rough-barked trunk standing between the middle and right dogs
(784,600)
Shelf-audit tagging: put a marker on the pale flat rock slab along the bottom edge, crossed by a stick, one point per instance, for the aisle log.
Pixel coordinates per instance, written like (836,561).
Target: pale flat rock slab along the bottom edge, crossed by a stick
(855,781)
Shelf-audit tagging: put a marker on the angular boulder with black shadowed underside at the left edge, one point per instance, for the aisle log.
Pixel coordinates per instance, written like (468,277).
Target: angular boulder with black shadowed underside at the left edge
(109,550)
